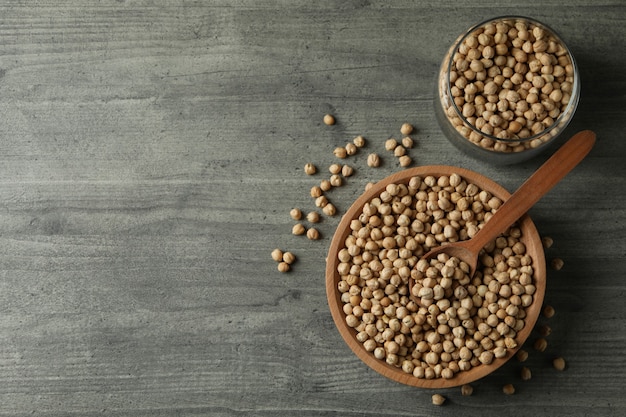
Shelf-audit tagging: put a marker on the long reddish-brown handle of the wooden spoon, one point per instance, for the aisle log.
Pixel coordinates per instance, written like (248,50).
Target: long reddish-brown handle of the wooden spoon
(536,186)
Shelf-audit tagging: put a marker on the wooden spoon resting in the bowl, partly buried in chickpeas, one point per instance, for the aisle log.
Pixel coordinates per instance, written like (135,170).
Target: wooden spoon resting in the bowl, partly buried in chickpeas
(531,191)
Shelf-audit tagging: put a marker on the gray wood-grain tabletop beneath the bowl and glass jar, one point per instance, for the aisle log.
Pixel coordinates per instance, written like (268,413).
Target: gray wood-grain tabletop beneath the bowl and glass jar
(151,152)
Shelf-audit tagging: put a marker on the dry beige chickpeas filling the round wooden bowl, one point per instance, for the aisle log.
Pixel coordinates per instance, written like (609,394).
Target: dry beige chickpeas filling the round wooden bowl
(448,322)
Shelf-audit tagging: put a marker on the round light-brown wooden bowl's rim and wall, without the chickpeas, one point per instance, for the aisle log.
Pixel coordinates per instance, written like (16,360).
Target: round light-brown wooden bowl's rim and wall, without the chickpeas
(530,238)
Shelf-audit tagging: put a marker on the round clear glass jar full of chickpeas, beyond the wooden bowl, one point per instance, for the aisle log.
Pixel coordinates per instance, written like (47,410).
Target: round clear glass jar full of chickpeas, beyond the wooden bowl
(507,87)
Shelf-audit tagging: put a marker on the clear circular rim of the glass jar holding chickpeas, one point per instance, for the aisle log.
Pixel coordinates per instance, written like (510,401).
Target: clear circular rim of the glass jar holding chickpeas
(571,105)
